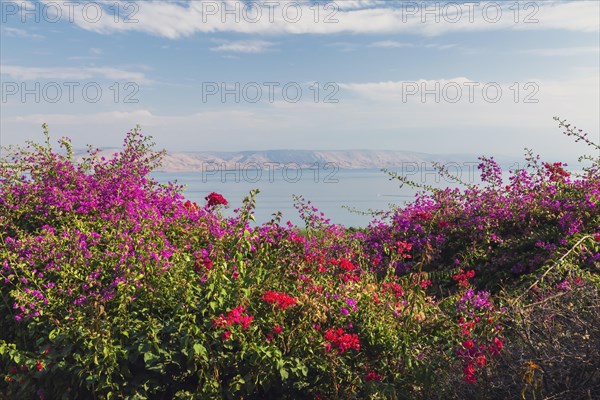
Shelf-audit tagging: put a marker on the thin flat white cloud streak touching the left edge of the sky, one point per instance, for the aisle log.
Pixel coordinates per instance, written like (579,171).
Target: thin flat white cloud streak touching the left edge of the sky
(70,73)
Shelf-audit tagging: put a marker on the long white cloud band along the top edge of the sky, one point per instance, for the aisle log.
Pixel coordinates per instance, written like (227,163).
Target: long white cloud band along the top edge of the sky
(181,19)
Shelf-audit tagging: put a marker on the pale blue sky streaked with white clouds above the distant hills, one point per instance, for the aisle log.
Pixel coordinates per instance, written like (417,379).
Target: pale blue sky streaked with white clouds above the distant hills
(435,77)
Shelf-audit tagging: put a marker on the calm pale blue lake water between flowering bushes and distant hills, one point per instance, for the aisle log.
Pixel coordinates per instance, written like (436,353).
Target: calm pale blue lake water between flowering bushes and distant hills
(329,191)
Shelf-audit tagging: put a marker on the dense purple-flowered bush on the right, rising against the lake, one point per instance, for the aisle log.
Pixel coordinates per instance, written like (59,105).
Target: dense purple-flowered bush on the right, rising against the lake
(501,230)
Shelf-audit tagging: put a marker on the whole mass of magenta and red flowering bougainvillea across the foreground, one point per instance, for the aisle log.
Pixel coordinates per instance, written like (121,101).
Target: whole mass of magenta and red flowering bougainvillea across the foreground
(115,286)
